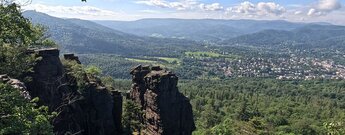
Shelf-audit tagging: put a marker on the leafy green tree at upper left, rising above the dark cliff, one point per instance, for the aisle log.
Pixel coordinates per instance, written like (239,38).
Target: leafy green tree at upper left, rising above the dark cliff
(17,35)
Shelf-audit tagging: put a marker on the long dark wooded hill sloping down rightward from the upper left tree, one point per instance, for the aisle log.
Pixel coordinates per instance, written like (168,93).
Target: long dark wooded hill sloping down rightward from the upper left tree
(81,36)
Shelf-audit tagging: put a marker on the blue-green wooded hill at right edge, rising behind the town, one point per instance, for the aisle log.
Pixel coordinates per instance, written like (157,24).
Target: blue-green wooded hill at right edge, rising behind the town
(311,35)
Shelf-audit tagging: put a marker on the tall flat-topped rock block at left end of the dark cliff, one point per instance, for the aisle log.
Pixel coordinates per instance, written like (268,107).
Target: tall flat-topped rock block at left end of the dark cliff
(48,80)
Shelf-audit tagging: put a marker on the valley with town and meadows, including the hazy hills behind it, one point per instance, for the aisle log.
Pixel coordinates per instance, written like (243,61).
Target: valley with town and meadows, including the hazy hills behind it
(276,49)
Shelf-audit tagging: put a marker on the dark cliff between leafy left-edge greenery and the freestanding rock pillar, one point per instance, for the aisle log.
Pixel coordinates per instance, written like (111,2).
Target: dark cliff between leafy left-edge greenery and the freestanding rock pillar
(97,111)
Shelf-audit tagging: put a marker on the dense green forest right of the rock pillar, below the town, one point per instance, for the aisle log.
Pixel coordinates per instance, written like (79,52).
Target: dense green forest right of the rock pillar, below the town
(263,106)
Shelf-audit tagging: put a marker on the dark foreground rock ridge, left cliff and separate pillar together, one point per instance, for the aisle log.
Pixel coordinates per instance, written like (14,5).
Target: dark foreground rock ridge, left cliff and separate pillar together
(97,110)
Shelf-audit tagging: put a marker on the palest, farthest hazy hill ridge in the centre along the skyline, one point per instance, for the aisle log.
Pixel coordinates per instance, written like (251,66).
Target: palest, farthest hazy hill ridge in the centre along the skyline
(197,29)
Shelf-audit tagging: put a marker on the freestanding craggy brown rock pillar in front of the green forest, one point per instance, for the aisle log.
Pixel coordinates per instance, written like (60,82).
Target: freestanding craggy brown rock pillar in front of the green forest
(166,110)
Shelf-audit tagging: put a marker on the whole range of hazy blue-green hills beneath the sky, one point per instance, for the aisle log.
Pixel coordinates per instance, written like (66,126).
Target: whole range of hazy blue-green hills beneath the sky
(171,37)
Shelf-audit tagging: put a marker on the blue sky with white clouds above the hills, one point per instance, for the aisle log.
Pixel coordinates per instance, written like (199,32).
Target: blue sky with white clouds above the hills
(332,11)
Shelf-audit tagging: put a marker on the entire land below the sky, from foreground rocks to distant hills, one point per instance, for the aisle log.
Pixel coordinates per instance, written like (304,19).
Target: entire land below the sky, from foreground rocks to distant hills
(170,76)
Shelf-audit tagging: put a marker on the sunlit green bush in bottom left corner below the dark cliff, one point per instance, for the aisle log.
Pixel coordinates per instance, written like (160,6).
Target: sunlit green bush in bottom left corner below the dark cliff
(22,116)
